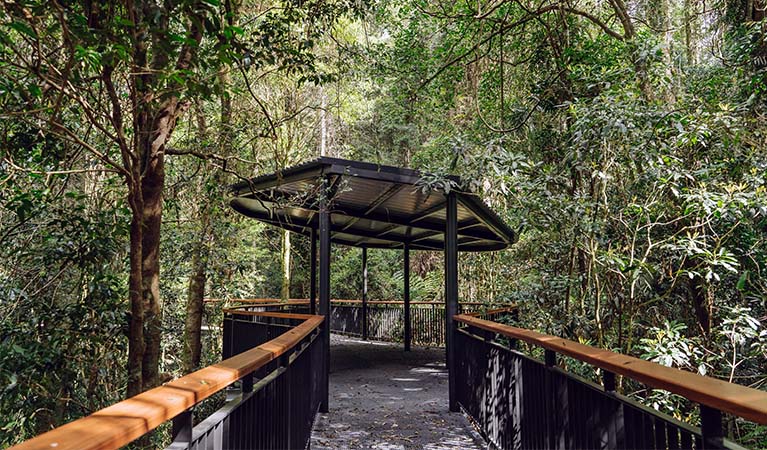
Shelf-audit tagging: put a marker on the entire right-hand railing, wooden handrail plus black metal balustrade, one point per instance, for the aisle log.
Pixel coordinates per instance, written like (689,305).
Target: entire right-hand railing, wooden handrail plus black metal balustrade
(521,402)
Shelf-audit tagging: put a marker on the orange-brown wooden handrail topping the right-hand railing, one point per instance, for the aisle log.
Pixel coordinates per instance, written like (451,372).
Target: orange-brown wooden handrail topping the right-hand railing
(733,398)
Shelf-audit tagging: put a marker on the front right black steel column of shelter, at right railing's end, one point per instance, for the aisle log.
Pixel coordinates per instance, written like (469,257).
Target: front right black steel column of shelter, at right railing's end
(451,292)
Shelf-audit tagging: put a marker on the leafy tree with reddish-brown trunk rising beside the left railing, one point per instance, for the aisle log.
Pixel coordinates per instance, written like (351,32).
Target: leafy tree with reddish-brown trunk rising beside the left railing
(132,70)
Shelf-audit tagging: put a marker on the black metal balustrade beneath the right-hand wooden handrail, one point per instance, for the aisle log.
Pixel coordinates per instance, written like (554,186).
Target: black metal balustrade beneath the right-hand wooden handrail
(519,402)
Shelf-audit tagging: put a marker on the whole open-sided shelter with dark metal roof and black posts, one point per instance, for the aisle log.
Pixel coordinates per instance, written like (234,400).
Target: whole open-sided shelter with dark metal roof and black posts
(374,206)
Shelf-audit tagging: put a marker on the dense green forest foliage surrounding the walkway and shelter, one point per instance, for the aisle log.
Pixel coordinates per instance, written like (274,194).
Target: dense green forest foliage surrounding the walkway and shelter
(632,166)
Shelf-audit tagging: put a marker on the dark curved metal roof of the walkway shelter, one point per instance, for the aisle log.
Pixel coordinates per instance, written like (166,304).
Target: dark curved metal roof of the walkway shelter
(370,205)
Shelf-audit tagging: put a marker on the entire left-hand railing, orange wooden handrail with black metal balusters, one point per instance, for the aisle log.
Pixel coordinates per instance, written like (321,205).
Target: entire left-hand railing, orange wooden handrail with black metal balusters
(280,387)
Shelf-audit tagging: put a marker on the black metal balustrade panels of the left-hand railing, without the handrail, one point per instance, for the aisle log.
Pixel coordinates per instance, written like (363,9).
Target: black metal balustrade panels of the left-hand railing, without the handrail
(274,407)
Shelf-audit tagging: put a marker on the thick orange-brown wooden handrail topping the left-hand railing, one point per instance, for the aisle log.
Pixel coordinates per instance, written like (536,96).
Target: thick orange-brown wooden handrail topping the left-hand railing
(126,421)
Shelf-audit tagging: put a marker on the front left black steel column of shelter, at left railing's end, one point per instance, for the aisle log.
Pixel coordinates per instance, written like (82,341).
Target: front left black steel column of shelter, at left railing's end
(324,293)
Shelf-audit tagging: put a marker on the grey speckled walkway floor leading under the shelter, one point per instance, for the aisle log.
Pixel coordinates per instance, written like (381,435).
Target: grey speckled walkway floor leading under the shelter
(384,398)
